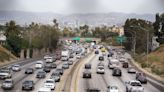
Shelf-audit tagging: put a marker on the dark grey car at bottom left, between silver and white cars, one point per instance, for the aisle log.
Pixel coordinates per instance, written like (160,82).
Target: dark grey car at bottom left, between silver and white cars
(28,85)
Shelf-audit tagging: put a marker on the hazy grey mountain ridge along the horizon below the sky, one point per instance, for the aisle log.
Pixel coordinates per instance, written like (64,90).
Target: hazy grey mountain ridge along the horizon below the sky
(93,19)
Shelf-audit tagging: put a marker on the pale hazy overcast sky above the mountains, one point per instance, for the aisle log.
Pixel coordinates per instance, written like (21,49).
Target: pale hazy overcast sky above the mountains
(84,6)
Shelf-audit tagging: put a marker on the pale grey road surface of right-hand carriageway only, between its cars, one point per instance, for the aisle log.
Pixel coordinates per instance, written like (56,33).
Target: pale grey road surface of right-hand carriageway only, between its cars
(101,81)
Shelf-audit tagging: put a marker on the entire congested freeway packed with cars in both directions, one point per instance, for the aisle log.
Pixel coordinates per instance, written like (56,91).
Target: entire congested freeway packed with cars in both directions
(107,70)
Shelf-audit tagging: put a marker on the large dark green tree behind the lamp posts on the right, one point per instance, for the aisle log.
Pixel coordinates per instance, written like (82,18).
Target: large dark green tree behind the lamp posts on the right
(140,27)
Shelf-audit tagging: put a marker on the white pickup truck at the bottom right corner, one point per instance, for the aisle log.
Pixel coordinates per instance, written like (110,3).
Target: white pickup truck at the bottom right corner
(134,86)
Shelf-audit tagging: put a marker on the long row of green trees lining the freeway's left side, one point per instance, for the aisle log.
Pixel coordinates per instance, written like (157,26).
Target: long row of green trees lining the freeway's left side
(30,37)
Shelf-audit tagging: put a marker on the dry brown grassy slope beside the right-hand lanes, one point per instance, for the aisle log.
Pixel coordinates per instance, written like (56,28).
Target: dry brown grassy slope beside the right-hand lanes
(155,62)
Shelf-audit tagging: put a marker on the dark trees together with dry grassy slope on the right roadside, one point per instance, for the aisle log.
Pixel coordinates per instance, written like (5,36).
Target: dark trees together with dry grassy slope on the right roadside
(153,61)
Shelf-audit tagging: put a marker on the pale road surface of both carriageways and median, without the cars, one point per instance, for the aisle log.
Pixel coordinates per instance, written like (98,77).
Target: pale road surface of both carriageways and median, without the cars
(72,80)
